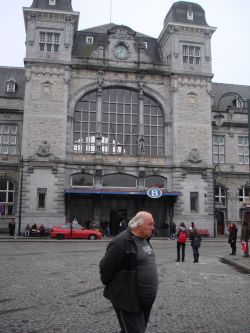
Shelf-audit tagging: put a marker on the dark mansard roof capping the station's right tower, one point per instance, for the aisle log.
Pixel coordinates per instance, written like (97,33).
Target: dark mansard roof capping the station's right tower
(178,14)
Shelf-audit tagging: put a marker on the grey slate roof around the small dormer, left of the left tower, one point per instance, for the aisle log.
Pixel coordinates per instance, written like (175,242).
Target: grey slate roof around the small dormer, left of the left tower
(16,73)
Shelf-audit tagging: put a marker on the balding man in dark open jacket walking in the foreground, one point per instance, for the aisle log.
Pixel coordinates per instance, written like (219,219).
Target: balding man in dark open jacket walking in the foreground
(129,273)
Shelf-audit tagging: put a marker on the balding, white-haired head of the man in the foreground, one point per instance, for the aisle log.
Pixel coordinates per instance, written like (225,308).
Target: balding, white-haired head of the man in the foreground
(142,224)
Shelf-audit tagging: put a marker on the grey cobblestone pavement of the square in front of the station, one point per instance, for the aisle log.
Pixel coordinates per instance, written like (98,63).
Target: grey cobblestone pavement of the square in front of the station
(54,287)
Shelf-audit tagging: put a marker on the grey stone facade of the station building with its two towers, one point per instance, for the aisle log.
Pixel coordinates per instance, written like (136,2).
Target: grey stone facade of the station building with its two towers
(63,65)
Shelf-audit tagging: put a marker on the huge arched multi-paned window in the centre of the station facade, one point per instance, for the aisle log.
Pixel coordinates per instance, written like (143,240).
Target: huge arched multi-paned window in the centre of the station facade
(122,125)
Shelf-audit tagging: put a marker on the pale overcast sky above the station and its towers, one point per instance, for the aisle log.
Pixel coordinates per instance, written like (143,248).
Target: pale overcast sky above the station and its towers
(230,42)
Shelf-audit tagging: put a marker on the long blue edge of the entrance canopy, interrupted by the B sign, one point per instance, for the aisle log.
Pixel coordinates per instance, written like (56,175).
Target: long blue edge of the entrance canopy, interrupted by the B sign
(79,191)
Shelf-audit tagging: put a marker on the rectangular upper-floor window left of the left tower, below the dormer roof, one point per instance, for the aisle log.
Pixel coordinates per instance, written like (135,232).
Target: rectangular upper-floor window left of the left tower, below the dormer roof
(8,139)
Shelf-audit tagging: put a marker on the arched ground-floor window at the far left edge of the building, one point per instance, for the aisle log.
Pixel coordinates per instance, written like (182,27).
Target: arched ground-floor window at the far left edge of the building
(6,197)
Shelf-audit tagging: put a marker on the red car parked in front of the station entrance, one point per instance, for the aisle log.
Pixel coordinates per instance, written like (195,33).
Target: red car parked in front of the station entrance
(70,231)
